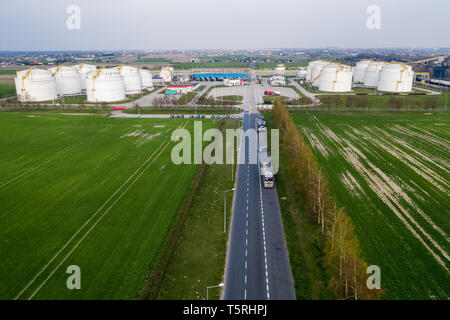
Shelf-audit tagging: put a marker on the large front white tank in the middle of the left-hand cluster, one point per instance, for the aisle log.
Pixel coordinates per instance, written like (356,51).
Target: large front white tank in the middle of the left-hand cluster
(105,85)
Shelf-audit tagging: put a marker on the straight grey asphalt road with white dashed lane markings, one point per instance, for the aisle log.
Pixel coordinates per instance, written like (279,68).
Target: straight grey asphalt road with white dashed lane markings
(257,266)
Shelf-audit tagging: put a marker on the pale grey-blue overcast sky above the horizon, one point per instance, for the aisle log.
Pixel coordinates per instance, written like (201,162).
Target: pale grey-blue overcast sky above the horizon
(41,25)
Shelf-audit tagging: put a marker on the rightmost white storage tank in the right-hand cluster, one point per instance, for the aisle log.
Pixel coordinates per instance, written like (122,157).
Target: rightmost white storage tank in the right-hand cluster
(396,77)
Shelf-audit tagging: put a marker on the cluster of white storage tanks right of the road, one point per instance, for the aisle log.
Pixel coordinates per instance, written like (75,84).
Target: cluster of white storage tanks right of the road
(336,77)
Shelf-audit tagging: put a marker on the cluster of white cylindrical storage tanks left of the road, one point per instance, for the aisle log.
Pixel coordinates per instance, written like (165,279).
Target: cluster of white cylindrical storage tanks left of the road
(99,84)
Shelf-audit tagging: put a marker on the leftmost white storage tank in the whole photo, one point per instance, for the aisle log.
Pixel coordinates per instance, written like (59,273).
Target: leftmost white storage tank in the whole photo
(35,85)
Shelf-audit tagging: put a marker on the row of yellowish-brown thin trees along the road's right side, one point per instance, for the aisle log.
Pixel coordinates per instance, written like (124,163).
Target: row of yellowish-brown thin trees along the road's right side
(347,270)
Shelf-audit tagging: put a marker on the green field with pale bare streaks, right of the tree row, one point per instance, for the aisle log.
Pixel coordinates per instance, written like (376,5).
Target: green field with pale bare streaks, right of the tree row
(391,173)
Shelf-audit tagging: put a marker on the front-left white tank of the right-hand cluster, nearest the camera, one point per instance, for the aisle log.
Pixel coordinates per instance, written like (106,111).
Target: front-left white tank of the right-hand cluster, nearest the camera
(336,78)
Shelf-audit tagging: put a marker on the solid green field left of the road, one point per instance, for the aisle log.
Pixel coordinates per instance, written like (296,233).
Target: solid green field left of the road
(90,191)
